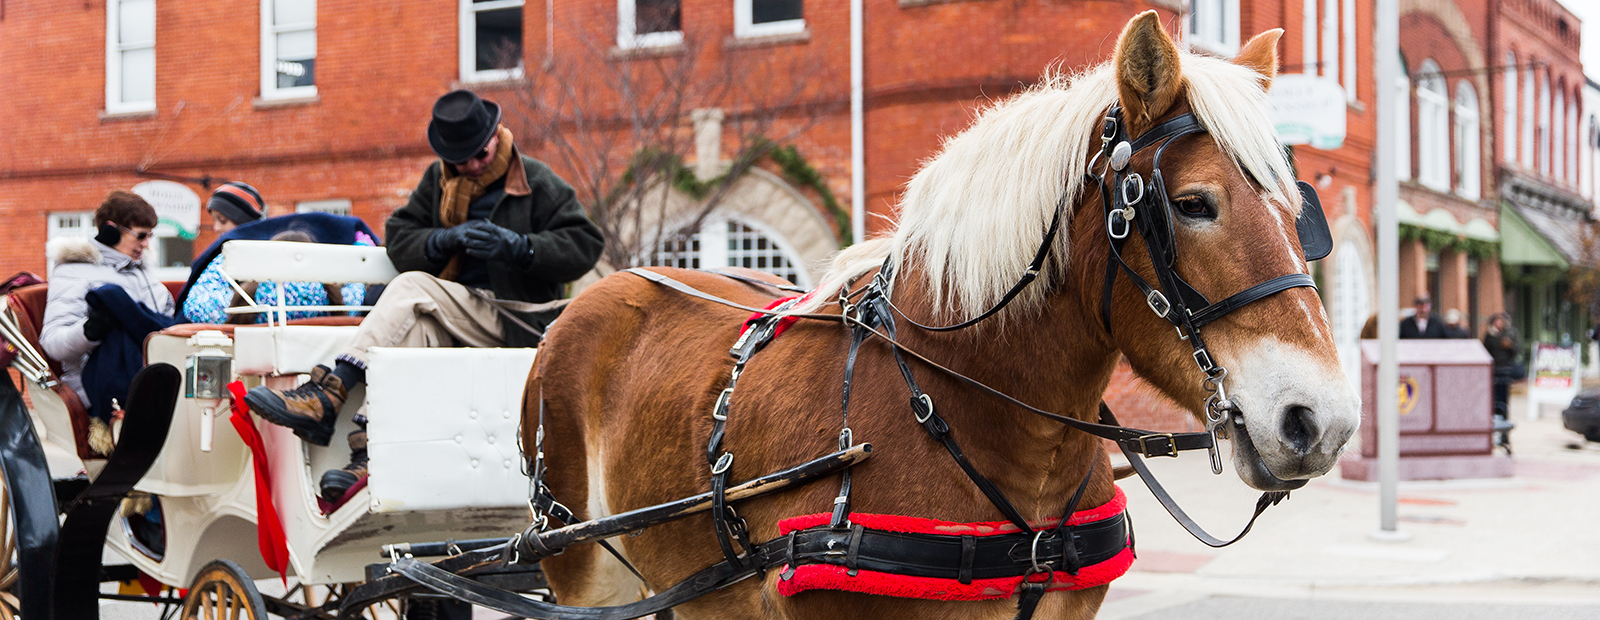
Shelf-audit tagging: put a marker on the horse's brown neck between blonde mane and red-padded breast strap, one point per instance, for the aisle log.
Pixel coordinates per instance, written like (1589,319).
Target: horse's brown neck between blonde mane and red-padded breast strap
(1055,359)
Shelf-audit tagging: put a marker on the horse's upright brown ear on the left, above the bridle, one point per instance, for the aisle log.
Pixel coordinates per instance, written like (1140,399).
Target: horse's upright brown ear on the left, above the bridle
(1148,76)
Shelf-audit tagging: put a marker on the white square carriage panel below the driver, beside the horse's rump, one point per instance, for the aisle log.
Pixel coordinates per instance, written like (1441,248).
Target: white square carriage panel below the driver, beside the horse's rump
(444,429)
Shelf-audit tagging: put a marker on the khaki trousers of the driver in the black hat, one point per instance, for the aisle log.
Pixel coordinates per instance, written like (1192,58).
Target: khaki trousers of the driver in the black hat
(422,311)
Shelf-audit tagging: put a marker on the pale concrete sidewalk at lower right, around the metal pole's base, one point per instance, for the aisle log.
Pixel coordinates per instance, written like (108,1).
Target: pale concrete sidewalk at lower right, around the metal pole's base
(1527,539)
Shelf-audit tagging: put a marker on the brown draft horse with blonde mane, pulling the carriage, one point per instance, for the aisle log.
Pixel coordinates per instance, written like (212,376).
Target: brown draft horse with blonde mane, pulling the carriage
(631,372)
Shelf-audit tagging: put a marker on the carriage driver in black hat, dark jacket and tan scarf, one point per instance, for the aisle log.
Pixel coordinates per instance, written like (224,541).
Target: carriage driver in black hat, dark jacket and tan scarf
(489,239)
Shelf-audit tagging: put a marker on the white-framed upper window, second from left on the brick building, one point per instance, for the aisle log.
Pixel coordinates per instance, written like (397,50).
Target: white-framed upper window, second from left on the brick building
(289,49)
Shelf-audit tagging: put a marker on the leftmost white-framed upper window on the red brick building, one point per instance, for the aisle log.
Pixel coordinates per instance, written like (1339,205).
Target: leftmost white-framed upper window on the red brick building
(130,57)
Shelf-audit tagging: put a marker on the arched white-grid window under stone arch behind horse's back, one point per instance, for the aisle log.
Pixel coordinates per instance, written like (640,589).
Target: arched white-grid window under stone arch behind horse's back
(727,242)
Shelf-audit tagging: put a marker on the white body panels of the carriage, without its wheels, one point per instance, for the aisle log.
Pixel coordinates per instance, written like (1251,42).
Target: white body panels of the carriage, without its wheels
(444,426)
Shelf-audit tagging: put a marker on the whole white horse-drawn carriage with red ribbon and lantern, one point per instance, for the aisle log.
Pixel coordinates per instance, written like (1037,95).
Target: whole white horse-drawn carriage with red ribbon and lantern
(446,461)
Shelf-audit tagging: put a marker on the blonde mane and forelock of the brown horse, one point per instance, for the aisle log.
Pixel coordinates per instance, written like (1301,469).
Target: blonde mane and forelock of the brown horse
(977,212)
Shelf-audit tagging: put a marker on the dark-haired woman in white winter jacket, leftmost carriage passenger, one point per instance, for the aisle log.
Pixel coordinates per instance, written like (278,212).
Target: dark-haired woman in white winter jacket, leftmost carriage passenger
(124,228)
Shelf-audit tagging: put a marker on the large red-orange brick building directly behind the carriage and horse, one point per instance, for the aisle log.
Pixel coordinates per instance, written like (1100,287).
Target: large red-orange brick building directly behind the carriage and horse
(324,105)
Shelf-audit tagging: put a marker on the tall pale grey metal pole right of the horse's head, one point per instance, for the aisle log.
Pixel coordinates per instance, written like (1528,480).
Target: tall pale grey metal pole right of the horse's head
(1386,46)
